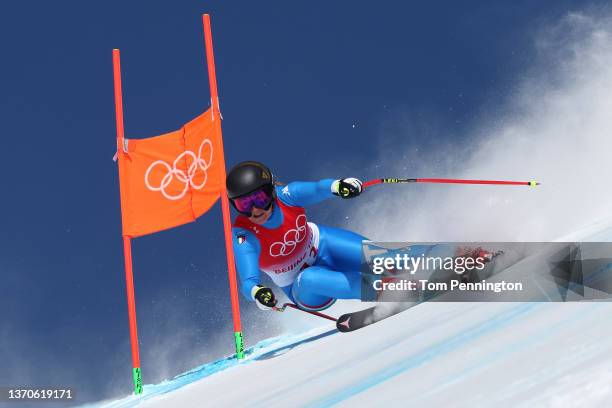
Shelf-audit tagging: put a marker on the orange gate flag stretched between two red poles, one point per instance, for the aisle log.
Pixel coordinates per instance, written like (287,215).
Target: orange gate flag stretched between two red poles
(172,179)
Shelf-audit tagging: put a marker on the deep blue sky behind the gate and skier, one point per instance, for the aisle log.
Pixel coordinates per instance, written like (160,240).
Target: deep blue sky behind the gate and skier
(308,88)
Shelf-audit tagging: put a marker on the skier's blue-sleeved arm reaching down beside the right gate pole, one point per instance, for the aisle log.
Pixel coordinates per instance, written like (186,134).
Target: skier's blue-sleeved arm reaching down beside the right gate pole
(246,252)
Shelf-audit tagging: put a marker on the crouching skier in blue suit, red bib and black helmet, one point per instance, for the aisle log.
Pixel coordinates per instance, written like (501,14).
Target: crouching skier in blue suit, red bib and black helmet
(312,264)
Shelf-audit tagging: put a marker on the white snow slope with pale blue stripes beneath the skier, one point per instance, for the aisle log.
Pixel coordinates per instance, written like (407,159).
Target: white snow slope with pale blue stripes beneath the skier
(436,354)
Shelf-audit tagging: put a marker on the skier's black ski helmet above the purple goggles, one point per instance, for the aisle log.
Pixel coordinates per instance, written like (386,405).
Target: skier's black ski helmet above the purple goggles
(246,177)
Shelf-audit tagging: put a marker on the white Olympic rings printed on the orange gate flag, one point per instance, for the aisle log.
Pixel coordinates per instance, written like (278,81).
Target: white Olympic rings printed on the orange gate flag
(197,164)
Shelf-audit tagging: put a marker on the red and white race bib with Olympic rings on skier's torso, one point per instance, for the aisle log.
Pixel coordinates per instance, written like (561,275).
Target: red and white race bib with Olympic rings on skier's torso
(288,249)
